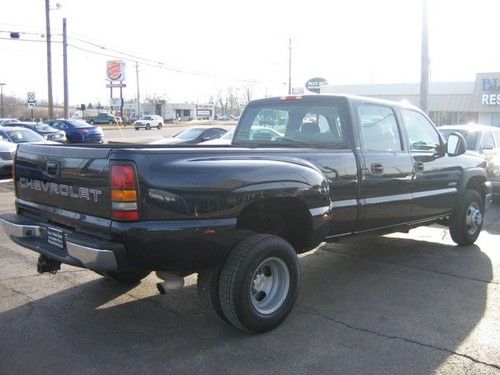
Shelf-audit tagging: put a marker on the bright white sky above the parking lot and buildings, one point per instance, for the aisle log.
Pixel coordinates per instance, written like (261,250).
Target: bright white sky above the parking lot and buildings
(204,47)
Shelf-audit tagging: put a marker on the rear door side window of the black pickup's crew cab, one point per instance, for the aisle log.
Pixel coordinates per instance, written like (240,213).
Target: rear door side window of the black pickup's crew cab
(379,129)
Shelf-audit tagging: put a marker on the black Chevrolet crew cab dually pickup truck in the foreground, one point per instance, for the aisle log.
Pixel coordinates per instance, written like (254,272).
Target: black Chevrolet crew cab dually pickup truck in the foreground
(301,170)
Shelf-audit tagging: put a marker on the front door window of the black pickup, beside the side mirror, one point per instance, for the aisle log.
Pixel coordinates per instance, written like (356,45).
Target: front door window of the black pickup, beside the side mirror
(422,135)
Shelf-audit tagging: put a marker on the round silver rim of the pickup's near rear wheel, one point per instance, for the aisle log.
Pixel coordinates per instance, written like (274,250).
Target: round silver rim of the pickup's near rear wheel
(269,286)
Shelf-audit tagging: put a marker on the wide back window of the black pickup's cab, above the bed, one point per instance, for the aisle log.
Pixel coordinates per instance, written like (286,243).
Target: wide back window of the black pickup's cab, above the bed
(291,124)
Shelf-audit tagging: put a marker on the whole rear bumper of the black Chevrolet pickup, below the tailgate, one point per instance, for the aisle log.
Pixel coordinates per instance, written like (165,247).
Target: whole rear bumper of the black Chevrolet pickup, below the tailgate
(81,251)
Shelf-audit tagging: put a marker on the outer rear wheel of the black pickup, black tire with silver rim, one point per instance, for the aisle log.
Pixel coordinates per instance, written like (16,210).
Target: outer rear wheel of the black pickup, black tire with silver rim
(259,283)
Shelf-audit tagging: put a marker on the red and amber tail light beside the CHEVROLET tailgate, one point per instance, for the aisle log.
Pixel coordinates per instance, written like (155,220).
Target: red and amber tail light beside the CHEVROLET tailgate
(124,195)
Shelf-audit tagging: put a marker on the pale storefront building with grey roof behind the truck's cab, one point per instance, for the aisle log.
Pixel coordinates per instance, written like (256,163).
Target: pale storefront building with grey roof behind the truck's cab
(448,103)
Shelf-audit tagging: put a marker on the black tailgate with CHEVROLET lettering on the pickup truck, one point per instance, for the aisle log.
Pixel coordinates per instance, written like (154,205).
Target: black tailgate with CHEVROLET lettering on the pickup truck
(67,177)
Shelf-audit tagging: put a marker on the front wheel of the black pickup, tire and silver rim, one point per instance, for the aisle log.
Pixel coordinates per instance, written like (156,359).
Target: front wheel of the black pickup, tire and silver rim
(466,220)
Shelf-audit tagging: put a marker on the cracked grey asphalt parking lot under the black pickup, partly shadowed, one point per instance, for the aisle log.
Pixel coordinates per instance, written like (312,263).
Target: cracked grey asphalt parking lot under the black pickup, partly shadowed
(404,303)
